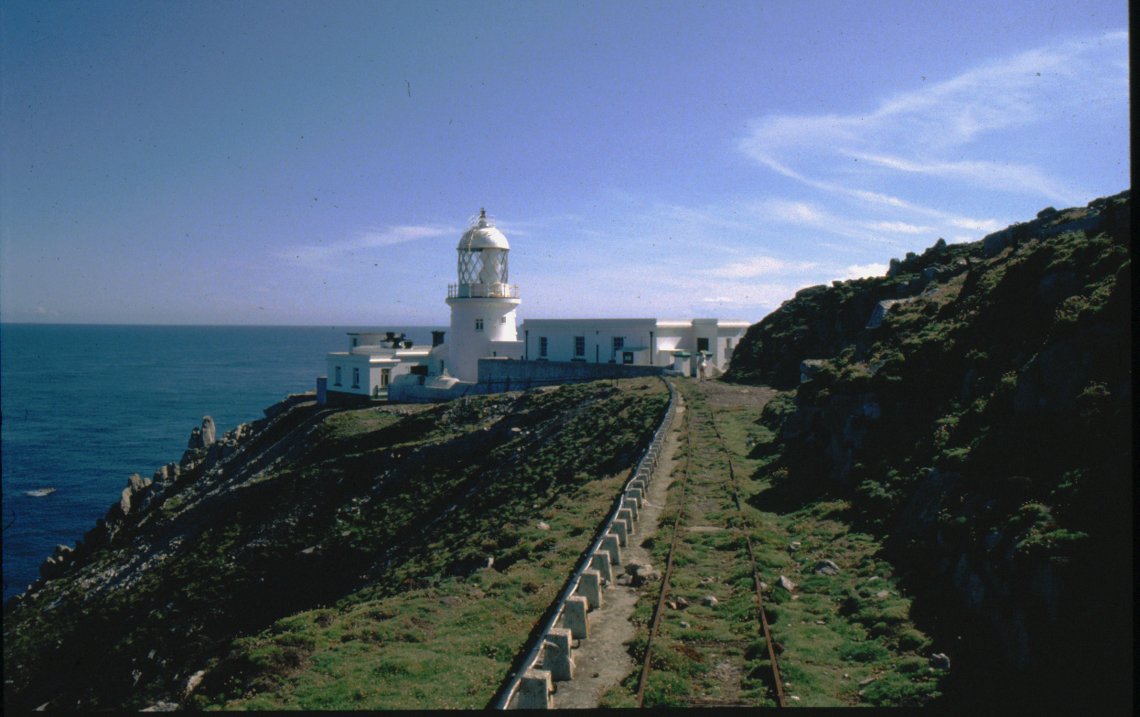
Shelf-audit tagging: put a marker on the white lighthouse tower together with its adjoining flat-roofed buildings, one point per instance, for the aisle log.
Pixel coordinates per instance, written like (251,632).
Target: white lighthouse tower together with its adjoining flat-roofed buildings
(485,327)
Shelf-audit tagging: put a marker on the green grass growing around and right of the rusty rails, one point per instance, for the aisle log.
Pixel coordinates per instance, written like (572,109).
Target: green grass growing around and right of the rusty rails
(834,633)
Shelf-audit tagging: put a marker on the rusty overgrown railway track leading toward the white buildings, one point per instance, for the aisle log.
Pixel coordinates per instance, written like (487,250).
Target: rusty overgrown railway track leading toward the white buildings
(701,492)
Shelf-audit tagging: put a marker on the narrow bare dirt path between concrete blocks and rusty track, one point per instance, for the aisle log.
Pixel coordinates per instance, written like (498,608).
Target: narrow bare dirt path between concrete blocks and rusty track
(602,661)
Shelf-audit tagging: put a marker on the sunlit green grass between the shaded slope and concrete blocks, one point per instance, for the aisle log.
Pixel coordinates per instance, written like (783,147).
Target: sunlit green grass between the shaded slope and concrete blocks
(446,642)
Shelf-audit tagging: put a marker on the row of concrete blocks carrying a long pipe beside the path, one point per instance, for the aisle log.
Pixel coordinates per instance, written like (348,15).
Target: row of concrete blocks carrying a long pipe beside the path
(556,658)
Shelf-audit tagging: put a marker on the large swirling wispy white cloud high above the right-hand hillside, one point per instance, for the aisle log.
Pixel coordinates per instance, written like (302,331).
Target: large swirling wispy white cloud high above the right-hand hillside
(956,131)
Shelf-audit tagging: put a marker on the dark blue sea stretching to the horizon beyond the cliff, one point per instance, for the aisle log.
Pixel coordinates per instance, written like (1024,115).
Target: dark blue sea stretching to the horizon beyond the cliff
(86,406)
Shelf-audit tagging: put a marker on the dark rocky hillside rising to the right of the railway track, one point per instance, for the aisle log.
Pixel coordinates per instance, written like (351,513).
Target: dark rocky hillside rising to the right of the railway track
(974,406)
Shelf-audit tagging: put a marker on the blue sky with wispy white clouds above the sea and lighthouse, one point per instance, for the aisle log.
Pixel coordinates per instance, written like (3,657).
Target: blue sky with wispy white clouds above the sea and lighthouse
(315,164)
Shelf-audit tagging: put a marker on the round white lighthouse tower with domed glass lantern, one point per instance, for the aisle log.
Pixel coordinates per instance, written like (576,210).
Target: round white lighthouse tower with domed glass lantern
(483,303)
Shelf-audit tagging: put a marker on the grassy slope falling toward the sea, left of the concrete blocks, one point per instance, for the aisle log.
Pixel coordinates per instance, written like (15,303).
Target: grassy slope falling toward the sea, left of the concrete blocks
(325,558)
